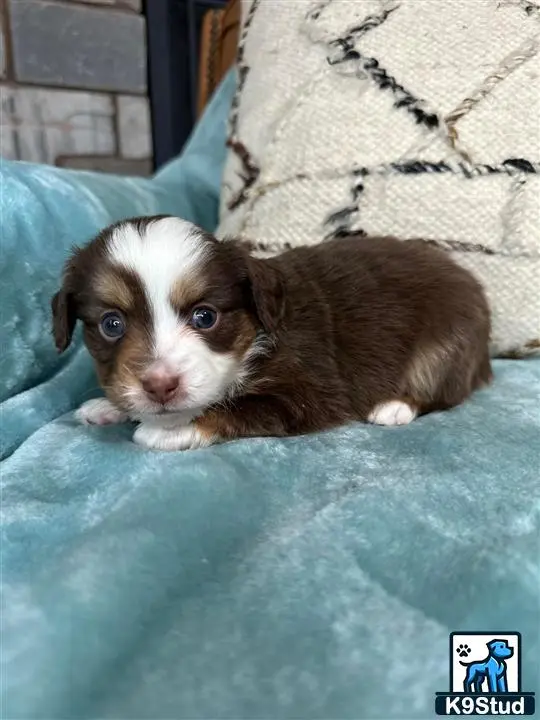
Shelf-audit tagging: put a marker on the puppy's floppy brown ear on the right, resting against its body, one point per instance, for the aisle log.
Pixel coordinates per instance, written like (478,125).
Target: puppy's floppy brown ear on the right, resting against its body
(267,291)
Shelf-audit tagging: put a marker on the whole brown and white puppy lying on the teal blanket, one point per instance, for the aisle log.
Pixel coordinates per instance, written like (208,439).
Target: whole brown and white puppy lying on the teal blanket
(201,342)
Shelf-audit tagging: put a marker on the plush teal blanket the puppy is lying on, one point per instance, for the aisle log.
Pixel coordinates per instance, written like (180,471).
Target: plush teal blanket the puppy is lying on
(314,577)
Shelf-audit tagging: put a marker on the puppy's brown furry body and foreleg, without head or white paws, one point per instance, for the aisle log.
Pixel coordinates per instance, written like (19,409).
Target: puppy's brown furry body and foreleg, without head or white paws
(359,322)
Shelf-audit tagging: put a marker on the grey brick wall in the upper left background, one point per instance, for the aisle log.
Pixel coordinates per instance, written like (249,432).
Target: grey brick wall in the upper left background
(73,84)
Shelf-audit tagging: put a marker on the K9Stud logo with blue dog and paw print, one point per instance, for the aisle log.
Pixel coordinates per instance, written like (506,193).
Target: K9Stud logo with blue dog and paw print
(485,676)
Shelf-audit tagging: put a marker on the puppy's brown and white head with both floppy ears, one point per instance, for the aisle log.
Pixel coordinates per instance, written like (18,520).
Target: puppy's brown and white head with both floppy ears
(171,316)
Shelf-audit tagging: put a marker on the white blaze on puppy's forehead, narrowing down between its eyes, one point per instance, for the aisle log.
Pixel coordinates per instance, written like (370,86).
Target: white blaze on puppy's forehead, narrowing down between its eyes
(163,253)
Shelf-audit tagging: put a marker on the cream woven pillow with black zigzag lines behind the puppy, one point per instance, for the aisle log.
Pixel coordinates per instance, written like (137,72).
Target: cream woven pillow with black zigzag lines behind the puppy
(415,119)
